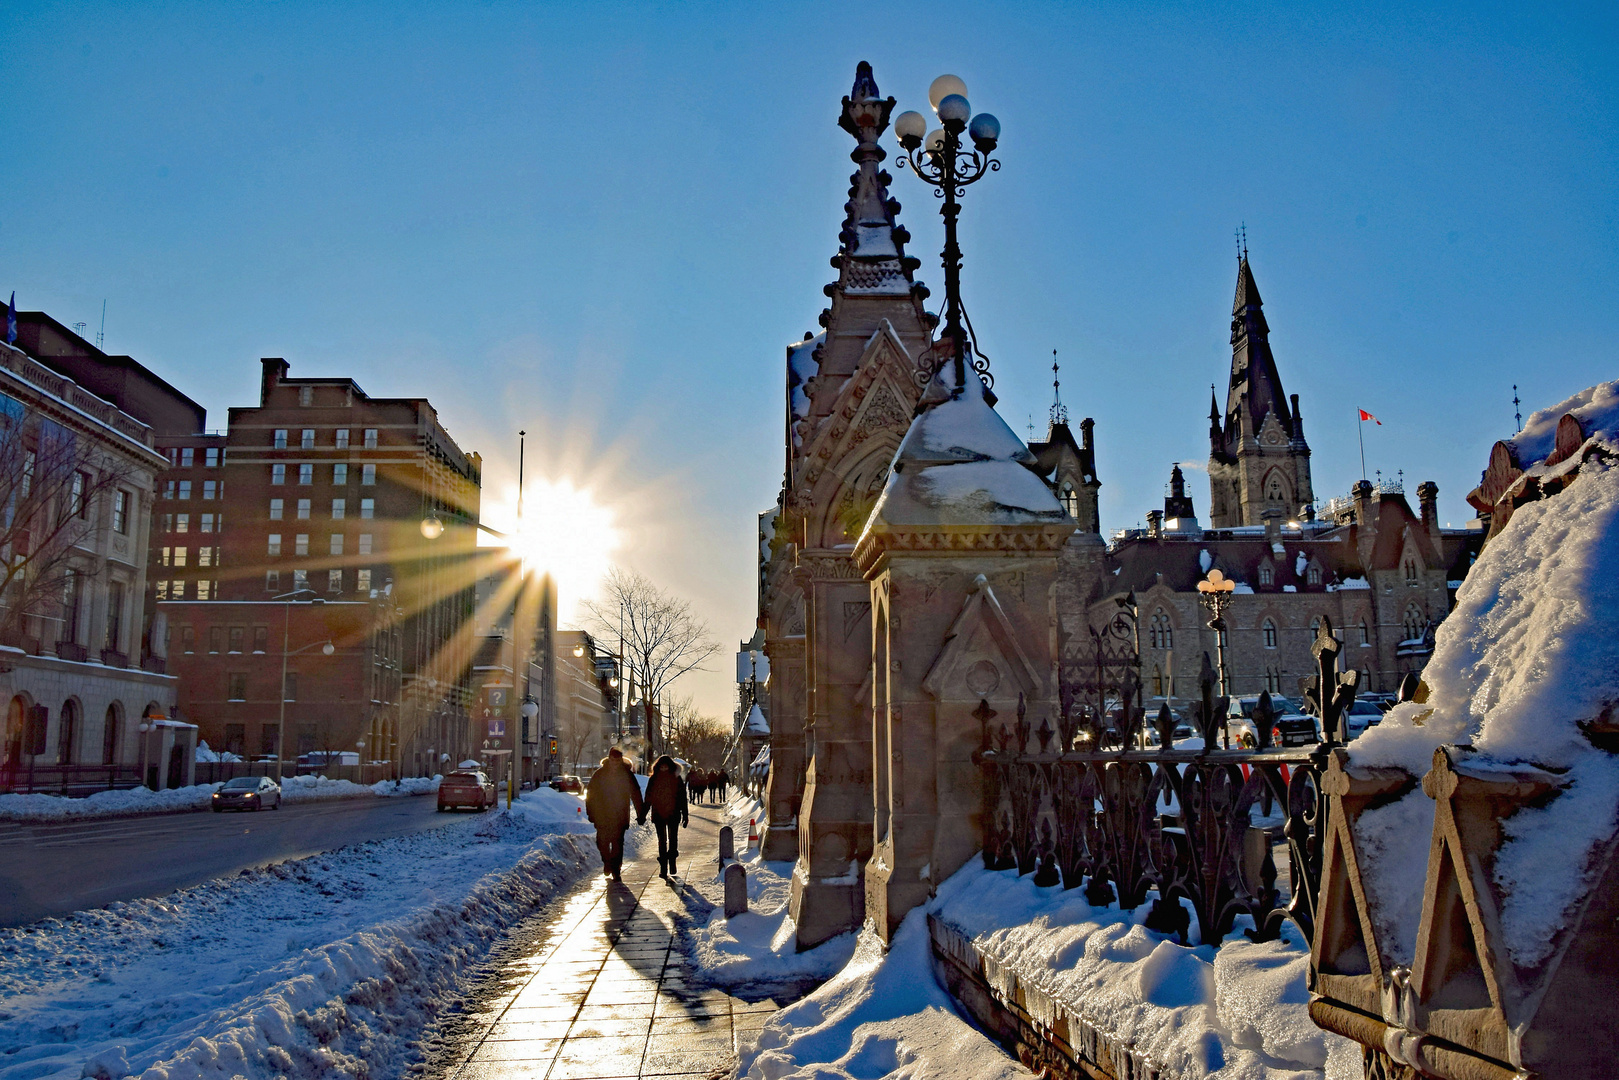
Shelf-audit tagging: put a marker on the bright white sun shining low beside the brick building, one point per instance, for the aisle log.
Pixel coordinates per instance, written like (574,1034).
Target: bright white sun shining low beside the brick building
(569,535)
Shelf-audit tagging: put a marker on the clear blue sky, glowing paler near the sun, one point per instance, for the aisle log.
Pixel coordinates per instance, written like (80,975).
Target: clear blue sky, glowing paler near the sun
(603,223)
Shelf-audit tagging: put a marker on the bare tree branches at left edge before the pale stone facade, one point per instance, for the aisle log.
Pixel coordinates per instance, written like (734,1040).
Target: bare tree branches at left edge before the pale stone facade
(53,487)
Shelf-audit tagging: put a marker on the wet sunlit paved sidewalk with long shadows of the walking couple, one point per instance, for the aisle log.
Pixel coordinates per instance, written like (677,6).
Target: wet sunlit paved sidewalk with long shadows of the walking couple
(606,993)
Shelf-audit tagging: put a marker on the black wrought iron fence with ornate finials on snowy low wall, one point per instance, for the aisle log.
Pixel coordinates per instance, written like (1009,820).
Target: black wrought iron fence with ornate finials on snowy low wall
(1090,804)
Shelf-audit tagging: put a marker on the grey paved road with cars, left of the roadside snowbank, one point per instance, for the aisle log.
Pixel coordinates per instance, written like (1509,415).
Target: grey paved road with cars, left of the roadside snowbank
(59,869)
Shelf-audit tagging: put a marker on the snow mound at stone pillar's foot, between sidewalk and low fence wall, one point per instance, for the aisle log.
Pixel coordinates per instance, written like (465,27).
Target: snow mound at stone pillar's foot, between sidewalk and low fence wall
(882,1016)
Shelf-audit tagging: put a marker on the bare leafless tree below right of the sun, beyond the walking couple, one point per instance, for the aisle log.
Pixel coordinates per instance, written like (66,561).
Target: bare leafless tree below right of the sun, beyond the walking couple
(663,640)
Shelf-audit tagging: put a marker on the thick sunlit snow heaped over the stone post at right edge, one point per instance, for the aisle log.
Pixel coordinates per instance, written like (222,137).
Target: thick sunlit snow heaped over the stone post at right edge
(1531,652)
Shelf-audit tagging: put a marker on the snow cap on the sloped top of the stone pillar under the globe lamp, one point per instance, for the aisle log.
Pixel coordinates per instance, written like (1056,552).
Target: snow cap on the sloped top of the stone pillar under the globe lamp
(961,466)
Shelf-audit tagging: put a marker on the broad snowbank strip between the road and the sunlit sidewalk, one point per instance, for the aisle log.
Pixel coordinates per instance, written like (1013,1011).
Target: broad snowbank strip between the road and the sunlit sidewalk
(318,967)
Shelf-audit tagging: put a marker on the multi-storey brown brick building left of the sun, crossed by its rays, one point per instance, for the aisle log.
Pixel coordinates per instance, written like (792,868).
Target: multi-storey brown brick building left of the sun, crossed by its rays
(367,504)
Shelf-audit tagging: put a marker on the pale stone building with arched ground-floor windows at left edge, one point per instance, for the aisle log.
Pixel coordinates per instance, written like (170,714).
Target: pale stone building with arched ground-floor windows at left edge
(77,478)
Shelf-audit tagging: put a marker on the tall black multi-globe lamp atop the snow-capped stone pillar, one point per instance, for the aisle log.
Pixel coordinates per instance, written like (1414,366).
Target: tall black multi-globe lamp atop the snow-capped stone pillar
(945,163)
